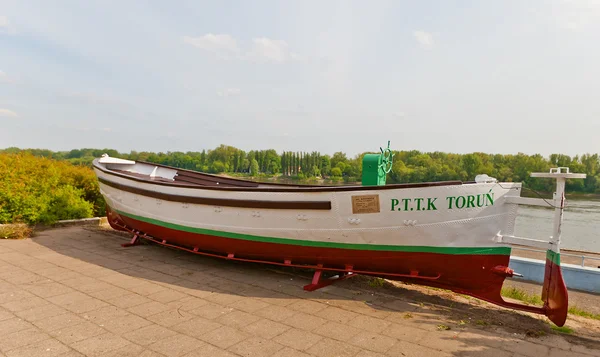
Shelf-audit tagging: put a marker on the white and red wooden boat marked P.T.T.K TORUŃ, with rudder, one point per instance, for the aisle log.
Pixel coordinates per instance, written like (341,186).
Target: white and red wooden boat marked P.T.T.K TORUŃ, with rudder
(452,235)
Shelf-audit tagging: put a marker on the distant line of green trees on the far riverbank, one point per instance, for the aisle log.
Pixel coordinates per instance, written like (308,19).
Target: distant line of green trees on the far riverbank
(408,167)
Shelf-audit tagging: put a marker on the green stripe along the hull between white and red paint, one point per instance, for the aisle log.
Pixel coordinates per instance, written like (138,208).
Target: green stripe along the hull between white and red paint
(307,243)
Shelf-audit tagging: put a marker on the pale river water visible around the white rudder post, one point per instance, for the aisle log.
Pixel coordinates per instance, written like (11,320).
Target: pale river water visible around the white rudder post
(580,229)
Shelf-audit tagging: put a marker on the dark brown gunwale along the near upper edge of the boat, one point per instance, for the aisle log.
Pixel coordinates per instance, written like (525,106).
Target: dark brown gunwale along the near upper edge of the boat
(286,188)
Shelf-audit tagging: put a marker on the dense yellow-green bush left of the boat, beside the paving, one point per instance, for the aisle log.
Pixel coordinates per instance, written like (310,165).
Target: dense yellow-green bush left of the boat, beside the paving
(41,190)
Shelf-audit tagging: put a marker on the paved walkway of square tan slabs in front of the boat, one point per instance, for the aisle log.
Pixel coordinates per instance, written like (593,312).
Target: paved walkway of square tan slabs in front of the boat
(75,291)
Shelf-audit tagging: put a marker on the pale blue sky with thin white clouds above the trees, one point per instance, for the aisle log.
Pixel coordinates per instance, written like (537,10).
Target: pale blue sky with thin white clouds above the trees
(301,75)
